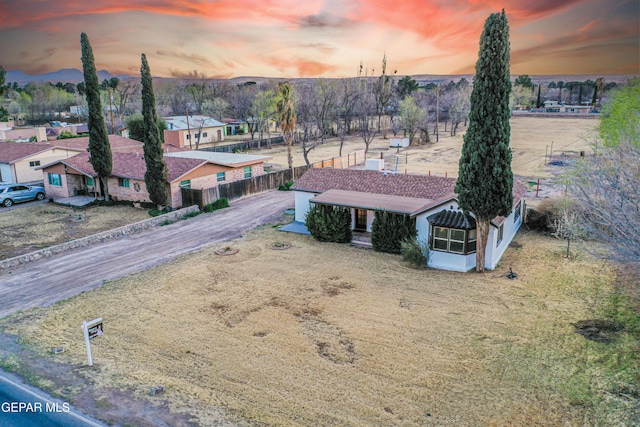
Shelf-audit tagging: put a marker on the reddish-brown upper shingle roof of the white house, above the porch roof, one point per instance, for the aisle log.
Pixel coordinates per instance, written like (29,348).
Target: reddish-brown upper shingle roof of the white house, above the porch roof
(365,181)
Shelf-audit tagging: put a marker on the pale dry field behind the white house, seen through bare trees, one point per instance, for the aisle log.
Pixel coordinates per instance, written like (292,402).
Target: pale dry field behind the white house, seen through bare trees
(530,137)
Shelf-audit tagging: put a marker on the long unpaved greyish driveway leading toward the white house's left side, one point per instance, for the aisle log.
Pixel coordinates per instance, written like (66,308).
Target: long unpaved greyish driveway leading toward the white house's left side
(64,275)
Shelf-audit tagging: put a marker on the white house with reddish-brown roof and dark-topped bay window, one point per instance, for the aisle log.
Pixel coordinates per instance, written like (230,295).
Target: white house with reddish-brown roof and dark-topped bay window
(431,200)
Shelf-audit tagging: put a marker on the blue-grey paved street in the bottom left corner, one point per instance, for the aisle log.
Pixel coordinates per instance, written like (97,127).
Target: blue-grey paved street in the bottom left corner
(25,406)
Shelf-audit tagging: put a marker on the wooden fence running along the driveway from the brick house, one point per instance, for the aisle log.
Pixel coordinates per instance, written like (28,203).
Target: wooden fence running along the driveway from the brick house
(259,184)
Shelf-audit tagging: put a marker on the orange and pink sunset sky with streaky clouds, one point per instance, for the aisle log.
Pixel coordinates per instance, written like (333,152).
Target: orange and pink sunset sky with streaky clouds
(317,38)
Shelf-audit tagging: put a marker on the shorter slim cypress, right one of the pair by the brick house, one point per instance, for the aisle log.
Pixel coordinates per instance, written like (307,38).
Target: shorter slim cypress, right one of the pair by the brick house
(157,176)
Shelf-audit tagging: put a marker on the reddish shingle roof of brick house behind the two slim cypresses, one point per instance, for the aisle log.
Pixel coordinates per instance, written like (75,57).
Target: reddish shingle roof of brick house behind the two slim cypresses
(131,165)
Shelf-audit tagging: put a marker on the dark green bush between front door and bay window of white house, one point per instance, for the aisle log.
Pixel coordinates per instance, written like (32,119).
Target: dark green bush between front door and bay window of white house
(389,230)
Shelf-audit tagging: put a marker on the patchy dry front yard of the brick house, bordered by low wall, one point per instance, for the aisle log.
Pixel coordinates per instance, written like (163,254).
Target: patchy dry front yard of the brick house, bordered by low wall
(34,227)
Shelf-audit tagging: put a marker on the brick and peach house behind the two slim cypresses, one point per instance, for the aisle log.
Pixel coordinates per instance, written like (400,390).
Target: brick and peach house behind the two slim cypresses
(74,176)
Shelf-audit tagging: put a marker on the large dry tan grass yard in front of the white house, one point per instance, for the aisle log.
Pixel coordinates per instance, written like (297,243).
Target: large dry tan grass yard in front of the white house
(328,334)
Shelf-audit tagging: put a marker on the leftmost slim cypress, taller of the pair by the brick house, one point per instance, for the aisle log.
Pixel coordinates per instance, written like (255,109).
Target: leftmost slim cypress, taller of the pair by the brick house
(99,148)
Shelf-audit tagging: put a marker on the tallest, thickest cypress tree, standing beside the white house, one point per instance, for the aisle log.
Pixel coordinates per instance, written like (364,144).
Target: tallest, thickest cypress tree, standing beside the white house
(485,179)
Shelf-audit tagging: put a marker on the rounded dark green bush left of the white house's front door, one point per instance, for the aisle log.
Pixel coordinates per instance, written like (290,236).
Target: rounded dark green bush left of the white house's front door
(329,223)
